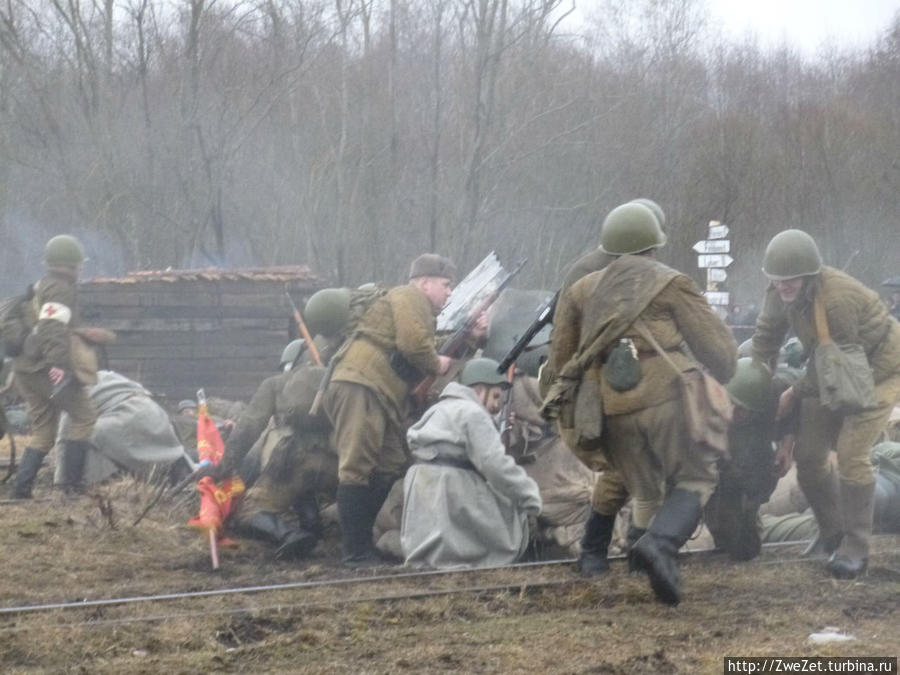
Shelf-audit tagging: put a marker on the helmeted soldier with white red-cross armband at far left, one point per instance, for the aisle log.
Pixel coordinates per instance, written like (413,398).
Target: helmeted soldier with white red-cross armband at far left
(45,373)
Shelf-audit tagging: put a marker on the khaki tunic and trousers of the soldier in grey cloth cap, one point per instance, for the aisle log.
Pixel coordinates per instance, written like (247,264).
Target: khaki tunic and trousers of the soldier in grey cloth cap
(367,400)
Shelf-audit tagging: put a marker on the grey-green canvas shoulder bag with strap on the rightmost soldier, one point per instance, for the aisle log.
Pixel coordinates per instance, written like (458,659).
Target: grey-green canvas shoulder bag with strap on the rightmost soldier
(846,383)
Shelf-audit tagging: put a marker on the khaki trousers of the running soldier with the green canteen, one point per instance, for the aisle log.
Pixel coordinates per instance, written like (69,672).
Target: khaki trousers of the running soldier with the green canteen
(651,449)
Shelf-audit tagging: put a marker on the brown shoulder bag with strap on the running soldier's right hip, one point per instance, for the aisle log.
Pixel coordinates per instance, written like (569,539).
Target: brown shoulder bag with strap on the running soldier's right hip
(706,405)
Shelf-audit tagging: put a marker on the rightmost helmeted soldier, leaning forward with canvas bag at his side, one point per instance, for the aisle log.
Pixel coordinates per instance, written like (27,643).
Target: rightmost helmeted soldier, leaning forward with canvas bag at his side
(842,503)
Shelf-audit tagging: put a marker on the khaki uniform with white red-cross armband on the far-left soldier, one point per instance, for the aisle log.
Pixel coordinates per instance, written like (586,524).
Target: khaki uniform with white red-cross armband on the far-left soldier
(47,347)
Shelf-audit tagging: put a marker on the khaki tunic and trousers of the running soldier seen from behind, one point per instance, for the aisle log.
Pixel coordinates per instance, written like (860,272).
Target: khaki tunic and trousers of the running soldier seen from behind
(645,437)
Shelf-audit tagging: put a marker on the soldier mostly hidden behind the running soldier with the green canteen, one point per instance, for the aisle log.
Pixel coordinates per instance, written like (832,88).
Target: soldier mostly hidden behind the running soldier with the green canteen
(610,494)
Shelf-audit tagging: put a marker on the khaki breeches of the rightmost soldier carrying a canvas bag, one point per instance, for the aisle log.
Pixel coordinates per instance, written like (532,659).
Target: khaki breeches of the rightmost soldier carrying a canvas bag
(851,436)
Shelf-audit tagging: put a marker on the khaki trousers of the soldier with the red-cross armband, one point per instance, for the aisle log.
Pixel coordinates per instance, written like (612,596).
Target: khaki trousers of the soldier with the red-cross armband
(43,413)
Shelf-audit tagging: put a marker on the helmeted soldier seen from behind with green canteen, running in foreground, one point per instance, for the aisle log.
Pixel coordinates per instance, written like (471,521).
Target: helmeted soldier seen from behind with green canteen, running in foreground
(645,436)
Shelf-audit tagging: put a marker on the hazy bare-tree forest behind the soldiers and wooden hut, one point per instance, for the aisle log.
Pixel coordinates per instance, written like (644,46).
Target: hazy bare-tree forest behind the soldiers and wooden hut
(351,135)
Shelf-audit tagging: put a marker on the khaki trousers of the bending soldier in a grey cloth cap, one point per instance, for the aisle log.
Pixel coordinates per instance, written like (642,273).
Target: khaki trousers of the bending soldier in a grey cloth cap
(368,442)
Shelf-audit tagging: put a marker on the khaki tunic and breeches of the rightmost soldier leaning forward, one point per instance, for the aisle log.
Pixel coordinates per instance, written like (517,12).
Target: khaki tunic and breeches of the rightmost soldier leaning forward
(855,315)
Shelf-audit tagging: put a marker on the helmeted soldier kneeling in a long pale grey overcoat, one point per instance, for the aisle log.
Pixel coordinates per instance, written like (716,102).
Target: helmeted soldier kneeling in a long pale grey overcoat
(466,502)
